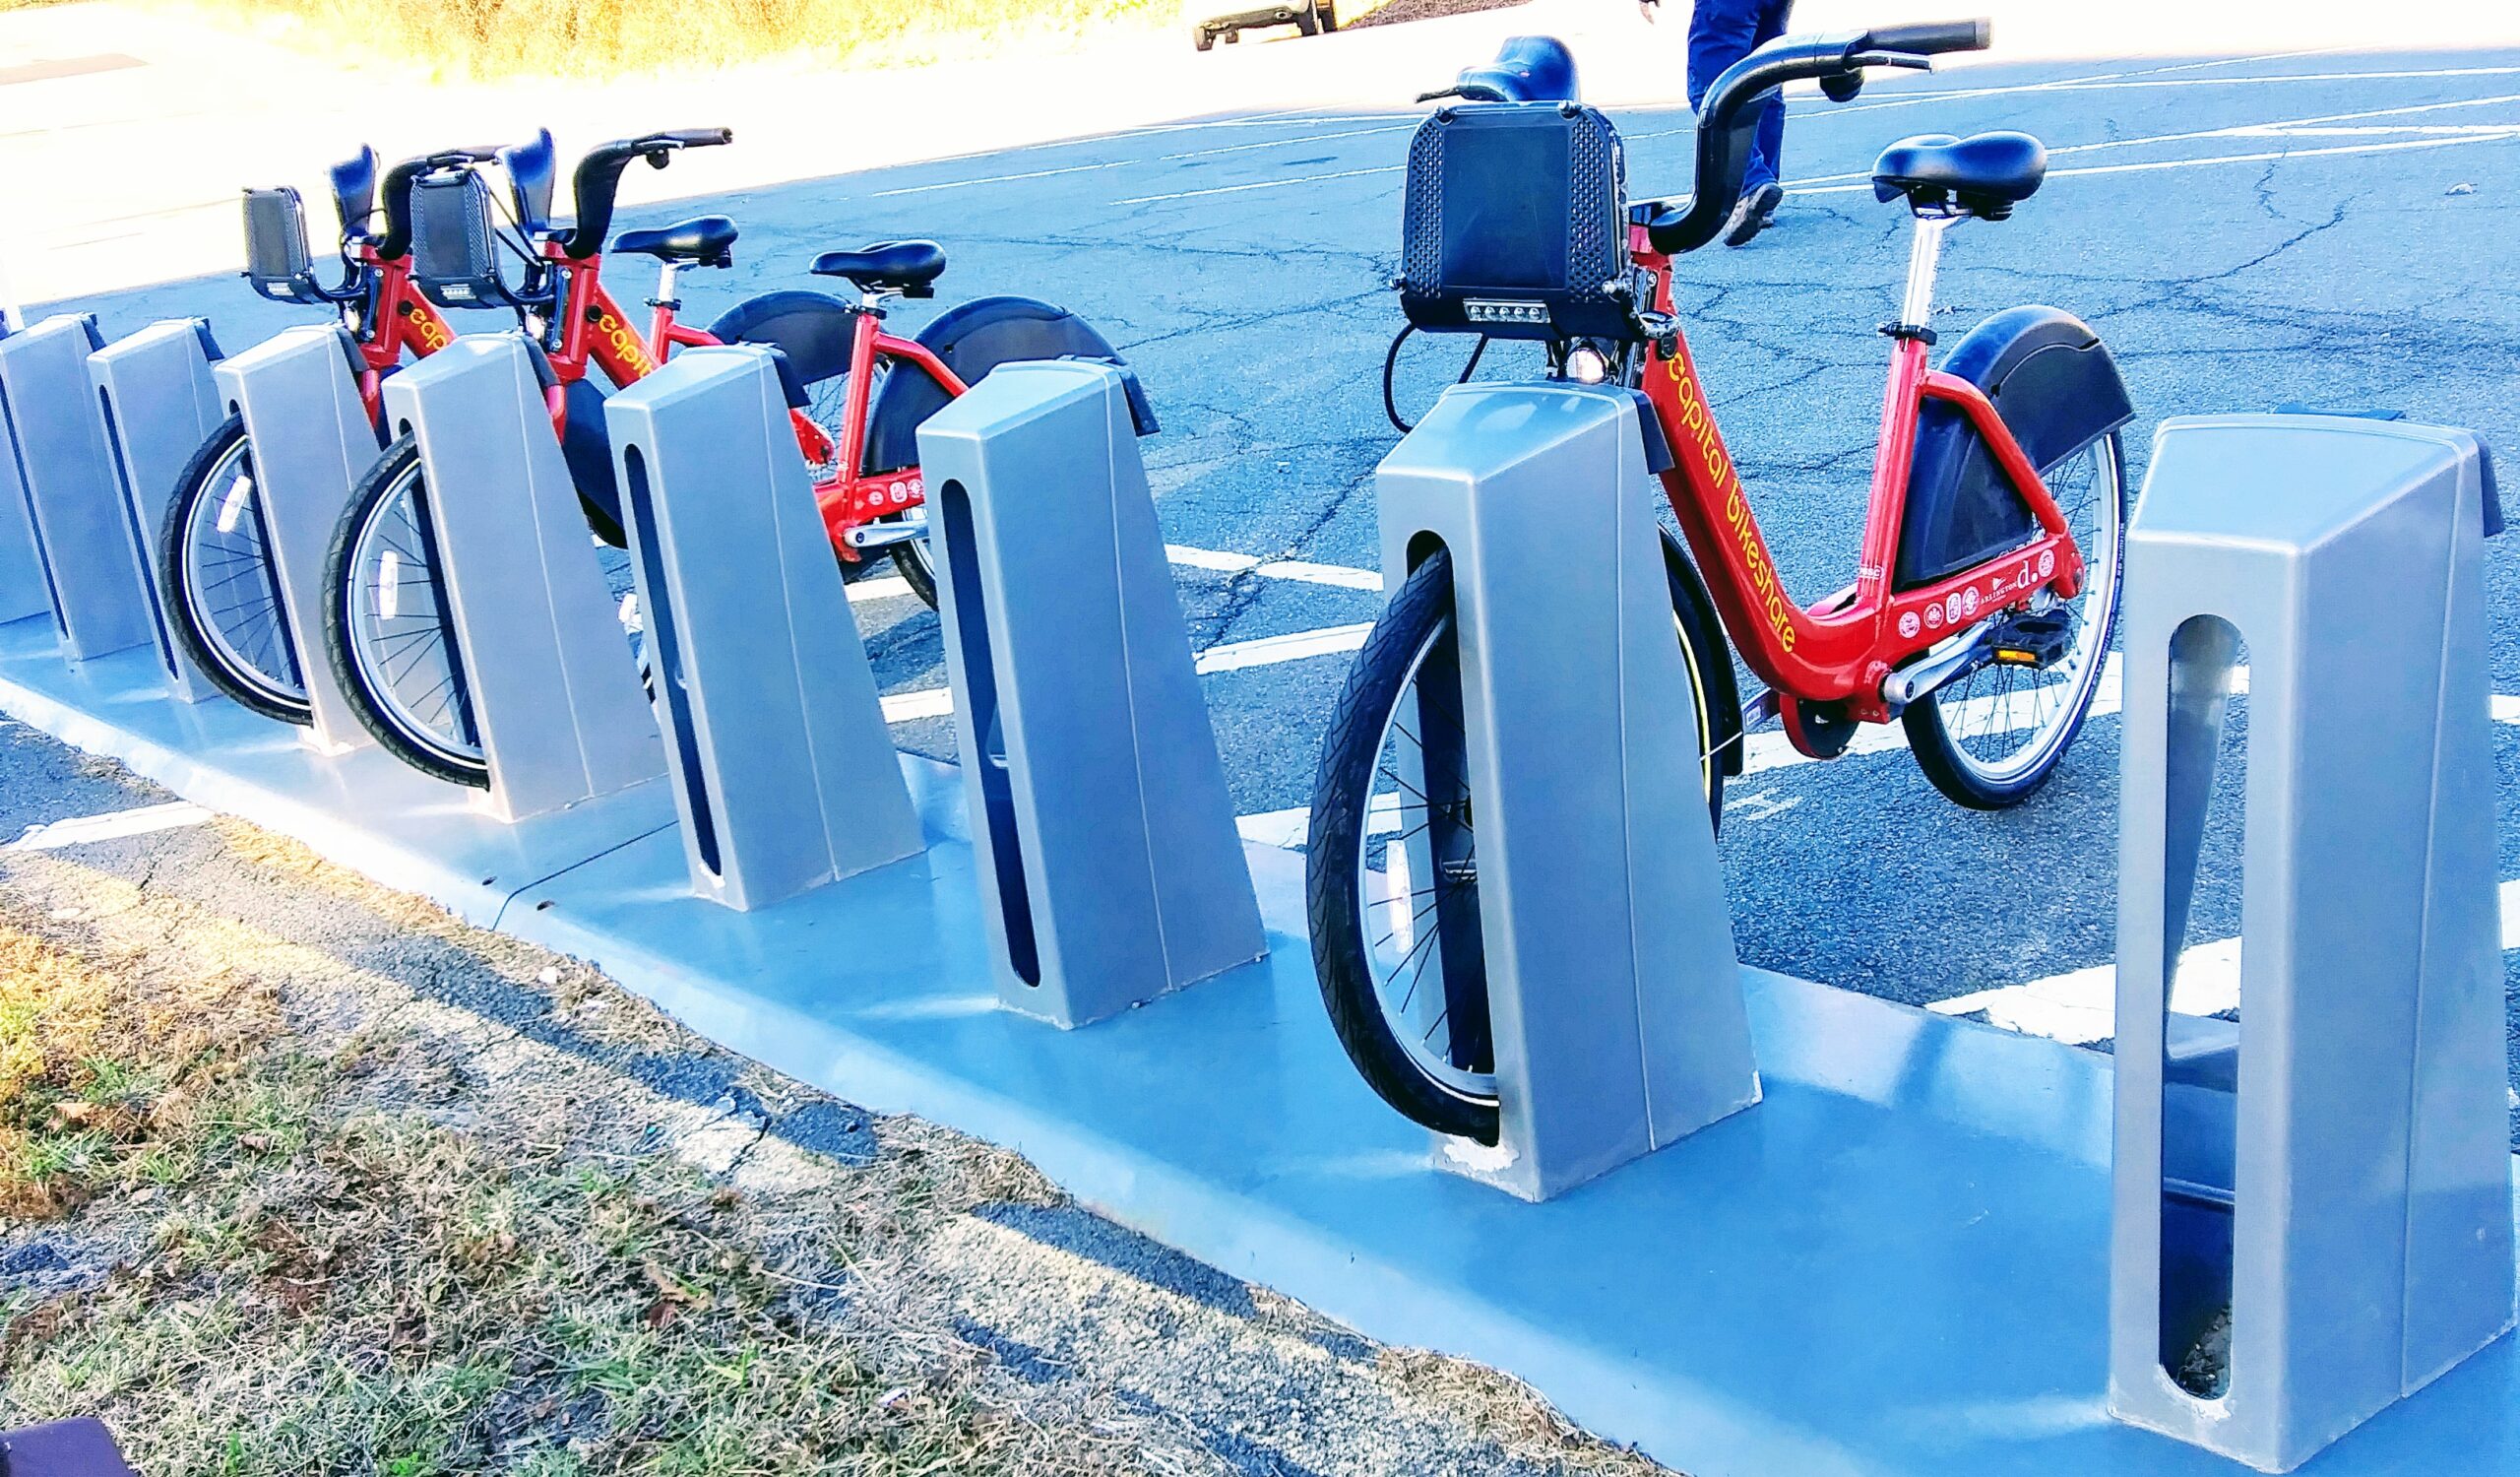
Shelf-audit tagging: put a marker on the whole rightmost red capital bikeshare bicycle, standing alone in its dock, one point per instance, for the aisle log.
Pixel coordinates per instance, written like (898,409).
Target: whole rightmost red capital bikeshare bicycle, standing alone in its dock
(1987,578)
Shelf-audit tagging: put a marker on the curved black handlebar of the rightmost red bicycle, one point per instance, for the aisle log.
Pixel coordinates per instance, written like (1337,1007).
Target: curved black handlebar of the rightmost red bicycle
(1730,112)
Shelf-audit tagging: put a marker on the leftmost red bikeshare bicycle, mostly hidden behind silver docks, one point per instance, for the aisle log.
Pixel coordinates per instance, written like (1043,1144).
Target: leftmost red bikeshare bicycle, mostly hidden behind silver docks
(215,543)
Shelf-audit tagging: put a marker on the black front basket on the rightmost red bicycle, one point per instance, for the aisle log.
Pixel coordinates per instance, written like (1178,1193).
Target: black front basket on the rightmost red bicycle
(1516,223)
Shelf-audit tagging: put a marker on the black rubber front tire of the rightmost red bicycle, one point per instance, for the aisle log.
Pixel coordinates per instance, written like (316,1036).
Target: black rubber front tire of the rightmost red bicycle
(1342,828)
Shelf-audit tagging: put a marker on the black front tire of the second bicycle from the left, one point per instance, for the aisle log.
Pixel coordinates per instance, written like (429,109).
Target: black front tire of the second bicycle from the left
(379,712)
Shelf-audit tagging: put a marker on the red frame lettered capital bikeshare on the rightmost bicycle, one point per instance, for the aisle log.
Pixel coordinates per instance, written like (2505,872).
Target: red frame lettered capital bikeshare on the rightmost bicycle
(1841,649)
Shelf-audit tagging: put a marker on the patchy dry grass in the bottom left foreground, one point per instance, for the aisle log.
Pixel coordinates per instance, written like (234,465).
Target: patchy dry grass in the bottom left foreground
(324,1267)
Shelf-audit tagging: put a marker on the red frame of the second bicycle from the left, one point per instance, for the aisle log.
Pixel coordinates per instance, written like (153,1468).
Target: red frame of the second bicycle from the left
(596,329)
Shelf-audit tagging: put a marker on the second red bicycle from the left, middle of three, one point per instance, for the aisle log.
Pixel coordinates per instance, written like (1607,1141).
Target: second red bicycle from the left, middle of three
(858,397)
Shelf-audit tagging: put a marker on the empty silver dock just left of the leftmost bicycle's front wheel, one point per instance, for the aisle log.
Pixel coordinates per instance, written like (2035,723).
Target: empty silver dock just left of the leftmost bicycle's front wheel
(157,402)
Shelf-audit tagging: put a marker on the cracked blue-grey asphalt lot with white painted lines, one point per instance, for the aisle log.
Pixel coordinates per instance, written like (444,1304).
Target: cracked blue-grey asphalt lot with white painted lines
(2244,233)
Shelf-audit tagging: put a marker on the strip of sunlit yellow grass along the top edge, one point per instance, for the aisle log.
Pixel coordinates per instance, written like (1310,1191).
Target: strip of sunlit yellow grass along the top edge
(634,37)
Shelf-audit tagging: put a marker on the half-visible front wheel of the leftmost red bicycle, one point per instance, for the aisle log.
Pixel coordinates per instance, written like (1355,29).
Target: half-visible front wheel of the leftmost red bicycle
(223,586)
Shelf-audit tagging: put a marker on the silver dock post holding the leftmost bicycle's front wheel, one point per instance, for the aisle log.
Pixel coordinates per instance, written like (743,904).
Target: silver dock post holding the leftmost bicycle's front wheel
(311,440)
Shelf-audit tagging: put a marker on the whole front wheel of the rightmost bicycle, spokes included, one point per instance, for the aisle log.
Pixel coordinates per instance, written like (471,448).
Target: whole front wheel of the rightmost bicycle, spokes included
(1392,871)
